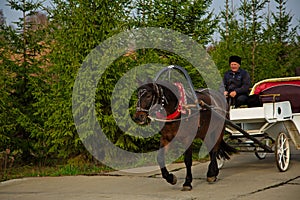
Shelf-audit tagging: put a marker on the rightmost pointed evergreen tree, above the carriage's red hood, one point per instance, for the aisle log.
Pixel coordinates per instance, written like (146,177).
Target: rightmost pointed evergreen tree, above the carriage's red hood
(279,46)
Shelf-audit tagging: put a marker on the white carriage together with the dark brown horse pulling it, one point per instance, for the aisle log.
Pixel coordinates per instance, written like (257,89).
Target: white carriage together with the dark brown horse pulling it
(265,127)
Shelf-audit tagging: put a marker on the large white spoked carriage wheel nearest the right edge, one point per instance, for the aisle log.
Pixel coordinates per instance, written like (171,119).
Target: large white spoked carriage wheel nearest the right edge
(282,152)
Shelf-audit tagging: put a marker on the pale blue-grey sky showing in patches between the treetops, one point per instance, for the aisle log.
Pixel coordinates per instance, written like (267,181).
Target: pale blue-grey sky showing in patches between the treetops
(293,6)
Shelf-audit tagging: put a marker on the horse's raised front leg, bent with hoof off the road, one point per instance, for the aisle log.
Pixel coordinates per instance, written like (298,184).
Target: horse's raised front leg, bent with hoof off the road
(170,178)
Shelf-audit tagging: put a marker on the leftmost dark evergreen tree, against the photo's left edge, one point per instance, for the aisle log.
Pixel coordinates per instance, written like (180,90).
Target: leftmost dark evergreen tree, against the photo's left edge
(20,66)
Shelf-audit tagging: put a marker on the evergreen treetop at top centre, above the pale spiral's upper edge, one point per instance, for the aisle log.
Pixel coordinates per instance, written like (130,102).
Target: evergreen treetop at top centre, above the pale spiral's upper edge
(188,17)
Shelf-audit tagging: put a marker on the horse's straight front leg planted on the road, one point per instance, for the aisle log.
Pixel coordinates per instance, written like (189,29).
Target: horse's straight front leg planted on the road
(187,186)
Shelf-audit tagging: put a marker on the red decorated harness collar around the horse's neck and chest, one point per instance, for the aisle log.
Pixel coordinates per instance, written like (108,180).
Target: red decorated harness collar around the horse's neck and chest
(179,110)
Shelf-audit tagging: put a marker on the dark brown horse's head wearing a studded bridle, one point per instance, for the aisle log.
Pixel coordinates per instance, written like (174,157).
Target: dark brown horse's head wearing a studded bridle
(147,98)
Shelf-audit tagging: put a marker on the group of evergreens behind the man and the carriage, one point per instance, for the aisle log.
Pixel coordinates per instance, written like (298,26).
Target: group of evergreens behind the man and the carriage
(267,43)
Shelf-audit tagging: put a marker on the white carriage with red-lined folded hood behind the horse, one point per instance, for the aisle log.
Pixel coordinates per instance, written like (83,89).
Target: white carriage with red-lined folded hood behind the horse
(270,127)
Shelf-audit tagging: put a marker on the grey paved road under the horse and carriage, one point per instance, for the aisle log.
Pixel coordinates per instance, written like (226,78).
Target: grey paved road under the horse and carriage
(244,177)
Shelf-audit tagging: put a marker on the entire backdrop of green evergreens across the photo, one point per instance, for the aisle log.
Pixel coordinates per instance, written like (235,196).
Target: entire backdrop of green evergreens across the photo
(40,60)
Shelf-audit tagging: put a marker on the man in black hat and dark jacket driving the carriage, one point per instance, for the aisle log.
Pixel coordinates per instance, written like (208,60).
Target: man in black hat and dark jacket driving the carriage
(236,82)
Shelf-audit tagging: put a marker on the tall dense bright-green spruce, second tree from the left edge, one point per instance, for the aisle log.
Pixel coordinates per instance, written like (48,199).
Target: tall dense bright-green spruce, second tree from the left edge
(77,28)
